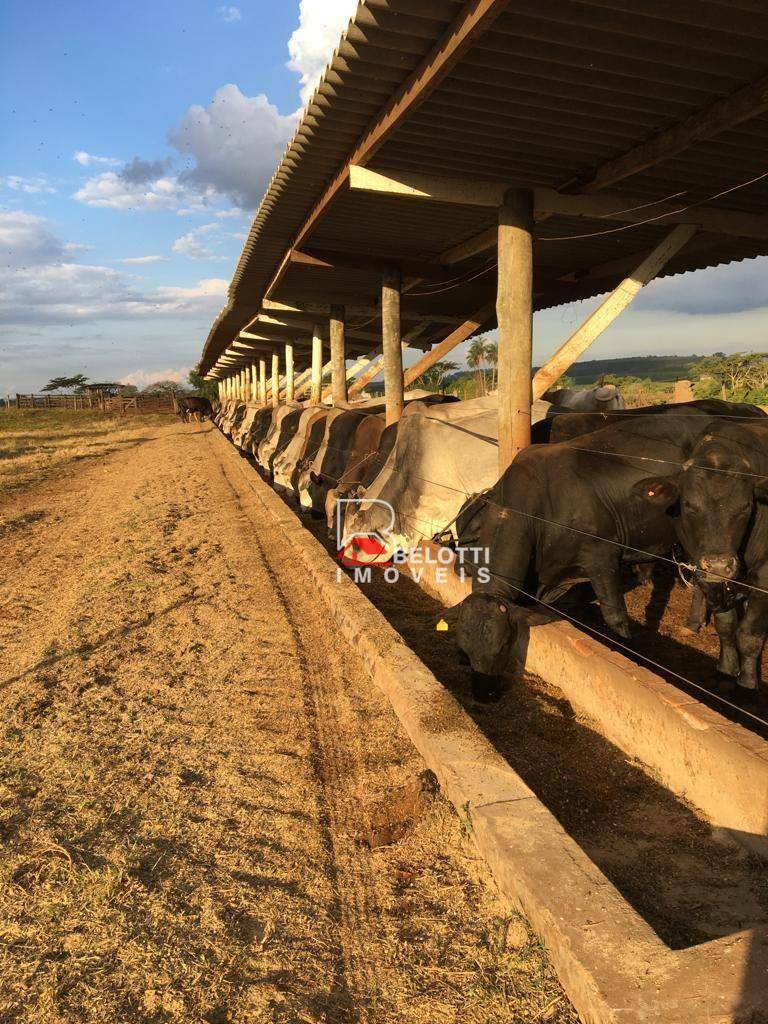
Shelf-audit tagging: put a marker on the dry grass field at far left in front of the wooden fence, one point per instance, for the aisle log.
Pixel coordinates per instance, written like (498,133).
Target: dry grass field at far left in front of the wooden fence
(39,444)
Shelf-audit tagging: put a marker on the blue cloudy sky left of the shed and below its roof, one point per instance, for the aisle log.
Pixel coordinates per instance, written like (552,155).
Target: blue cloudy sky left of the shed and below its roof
(138,139)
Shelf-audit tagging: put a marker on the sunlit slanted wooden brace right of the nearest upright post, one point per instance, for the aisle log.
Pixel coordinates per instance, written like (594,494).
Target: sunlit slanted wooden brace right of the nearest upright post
(610,310)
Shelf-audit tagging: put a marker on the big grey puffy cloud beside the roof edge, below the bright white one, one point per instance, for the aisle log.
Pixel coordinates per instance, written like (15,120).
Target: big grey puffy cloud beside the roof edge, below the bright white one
(236,143)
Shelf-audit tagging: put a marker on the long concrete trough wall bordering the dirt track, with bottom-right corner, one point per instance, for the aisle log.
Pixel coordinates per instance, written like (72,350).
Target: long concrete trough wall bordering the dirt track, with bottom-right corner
(614,967)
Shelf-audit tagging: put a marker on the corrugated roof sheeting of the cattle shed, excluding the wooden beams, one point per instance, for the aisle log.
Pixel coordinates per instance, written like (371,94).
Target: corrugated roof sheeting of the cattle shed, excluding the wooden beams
(547,94)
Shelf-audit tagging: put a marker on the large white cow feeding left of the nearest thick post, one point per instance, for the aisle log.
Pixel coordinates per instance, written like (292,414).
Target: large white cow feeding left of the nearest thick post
(441,456)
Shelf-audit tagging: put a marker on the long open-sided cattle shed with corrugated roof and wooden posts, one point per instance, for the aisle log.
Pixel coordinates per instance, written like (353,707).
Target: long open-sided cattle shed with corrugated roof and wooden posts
(464,163)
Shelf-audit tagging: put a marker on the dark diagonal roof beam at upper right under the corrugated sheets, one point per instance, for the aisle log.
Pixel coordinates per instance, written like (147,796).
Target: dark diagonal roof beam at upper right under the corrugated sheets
(748,103)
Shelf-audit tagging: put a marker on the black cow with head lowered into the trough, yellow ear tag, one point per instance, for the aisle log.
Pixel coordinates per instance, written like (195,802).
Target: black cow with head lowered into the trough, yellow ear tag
(542,538)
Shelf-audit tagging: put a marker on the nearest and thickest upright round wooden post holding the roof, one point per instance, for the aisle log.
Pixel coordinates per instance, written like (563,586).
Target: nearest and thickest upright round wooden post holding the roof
(515,308)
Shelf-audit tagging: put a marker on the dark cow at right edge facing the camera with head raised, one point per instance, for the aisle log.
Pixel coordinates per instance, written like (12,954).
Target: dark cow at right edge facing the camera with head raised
(722,525)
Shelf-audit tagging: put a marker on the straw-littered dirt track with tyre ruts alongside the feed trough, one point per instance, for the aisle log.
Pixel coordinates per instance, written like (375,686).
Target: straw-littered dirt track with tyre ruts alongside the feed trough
(207,812)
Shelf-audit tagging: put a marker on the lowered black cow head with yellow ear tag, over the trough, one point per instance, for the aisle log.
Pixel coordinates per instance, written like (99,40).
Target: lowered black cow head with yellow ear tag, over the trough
(487,629)
